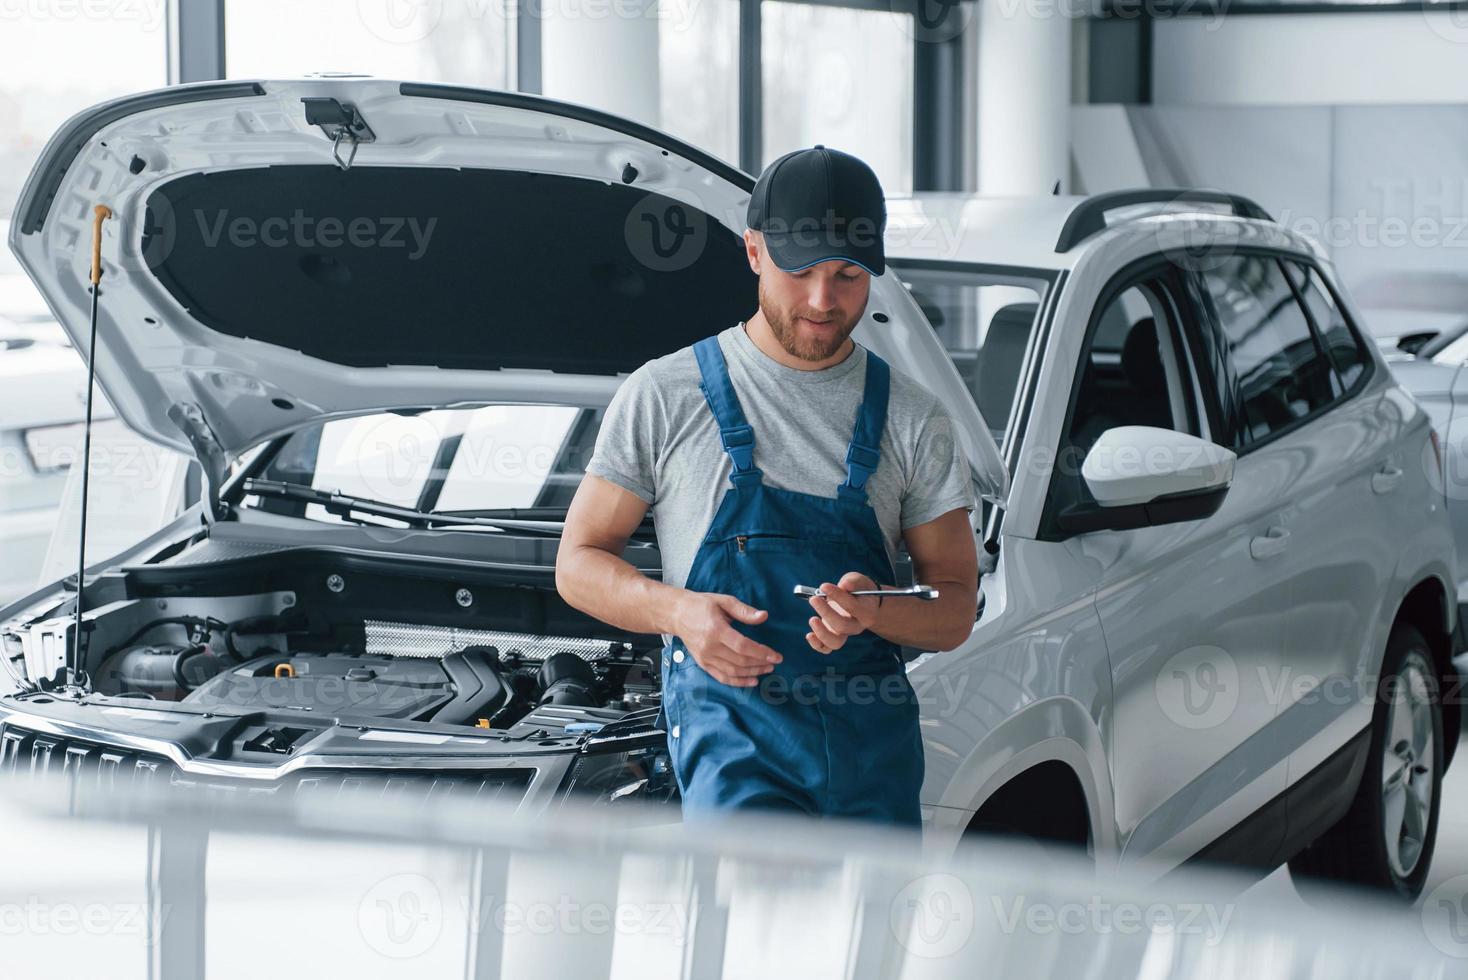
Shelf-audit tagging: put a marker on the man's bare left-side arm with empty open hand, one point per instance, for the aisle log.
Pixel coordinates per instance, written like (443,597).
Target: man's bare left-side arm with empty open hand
(592,576)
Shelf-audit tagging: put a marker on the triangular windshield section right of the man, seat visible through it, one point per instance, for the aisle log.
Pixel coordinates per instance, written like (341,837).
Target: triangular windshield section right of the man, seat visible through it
(986,322)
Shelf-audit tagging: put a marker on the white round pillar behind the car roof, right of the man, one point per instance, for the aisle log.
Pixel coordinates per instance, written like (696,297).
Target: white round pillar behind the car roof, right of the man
(1024,98)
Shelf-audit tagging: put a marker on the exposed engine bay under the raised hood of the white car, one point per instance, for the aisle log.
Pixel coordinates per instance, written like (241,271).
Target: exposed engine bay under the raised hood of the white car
(318,637)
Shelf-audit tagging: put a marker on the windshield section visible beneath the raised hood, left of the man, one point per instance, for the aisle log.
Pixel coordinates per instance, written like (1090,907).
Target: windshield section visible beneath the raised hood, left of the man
(448,461)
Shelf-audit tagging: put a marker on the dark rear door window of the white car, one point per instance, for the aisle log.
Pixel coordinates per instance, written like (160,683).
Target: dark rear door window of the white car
(1279,369)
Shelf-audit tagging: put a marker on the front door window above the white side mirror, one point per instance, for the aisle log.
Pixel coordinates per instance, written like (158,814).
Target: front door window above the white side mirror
(1135,370)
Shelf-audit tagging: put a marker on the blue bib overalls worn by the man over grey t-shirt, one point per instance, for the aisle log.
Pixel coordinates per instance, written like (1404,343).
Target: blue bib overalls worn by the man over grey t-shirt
(832,736)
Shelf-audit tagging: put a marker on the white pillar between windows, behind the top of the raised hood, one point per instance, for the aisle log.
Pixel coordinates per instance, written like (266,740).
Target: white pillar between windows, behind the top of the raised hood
(601,54)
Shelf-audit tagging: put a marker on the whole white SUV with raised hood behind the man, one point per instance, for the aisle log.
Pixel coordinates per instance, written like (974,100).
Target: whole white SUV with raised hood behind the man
(387,318)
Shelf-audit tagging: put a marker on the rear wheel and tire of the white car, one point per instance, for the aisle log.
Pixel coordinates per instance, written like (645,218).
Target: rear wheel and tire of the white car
(1387,840)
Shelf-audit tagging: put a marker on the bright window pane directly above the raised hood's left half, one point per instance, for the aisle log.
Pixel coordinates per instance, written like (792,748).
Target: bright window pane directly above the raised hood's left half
(460,42)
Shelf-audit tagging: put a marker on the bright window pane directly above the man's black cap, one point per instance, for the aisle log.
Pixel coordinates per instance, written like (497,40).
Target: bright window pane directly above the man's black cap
(851,90)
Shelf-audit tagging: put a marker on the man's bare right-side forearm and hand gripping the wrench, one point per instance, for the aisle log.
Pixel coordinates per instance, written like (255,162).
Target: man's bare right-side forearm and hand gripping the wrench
(946,558)
